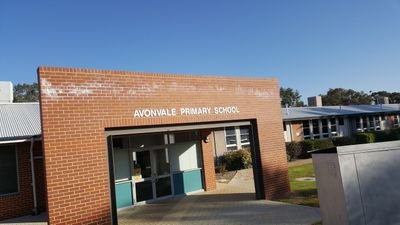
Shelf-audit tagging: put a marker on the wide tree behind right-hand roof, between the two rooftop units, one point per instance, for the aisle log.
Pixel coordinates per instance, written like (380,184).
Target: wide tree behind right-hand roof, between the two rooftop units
(341,96)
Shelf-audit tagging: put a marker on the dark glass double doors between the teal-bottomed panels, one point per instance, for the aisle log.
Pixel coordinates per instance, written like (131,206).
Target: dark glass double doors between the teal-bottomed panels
(151,174)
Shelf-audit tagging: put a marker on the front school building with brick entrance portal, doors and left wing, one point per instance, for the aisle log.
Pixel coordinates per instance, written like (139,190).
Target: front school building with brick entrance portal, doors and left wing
(107,140)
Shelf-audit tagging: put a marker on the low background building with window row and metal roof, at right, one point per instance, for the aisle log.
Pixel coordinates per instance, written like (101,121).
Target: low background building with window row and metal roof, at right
(320,122)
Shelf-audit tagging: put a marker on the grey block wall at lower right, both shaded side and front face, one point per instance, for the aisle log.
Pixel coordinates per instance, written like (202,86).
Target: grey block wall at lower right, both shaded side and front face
(369,180)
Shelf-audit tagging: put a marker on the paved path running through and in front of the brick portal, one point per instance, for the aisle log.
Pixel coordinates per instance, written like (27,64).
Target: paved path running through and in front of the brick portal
(231,203)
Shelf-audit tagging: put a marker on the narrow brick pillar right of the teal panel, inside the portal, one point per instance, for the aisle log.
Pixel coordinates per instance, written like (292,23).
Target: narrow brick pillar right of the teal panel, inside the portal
(208,160)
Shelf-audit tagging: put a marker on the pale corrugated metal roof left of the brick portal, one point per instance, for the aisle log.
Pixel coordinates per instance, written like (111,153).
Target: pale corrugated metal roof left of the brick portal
(19,120)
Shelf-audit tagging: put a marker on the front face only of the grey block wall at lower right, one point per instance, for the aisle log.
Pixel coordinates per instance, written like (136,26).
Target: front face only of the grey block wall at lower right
(374,195)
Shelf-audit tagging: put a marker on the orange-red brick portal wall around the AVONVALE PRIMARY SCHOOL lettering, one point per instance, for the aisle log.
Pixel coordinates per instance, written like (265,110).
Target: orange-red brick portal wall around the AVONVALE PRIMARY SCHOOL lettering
(77,105)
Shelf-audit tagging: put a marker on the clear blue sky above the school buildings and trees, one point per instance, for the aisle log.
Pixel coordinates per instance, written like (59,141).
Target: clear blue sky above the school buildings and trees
(308,45)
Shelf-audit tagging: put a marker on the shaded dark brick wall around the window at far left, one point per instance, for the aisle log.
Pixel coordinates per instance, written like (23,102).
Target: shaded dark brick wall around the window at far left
(21,203)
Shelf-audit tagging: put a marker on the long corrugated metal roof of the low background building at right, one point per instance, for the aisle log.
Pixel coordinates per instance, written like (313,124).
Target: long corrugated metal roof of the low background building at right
(299,113)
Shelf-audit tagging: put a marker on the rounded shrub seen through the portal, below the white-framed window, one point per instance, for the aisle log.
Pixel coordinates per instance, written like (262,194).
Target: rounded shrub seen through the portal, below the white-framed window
(237,160)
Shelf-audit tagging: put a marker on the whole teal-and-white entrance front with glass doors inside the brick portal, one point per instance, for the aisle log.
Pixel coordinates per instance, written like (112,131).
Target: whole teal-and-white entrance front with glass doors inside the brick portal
(149,167)
